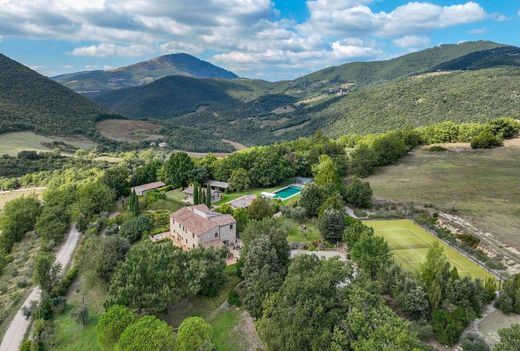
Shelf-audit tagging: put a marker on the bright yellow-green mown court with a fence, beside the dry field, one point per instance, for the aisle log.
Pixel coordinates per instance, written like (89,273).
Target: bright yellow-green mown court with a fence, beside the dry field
(410,244)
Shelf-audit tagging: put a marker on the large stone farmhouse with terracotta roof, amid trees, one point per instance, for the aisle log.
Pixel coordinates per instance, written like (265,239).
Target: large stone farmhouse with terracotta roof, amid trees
(198,225)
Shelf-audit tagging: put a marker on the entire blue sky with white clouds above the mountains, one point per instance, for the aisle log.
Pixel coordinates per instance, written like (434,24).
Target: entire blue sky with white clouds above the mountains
(266,39)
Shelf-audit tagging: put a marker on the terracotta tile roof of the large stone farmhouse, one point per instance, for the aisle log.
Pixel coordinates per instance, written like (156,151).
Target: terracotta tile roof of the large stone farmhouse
(200,219)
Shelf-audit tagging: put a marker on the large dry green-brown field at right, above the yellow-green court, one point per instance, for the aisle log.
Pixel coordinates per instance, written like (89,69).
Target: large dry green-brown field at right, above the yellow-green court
(481,186)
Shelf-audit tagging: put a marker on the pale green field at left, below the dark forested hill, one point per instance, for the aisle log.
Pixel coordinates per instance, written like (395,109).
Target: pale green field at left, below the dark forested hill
(13,143)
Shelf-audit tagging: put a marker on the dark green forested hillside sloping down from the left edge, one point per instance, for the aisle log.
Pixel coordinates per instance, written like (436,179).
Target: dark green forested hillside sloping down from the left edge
(30,101)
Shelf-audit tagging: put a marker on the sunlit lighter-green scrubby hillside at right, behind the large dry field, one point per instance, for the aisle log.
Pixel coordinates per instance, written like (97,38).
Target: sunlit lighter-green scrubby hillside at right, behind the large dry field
(467,96)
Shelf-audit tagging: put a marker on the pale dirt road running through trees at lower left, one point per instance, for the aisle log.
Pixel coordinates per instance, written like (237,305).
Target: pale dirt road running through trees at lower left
(19,325)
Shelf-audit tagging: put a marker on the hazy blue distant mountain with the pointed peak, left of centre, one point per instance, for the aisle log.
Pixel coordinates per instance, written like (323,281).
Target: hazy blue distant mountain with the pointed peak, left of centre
(142,73)
